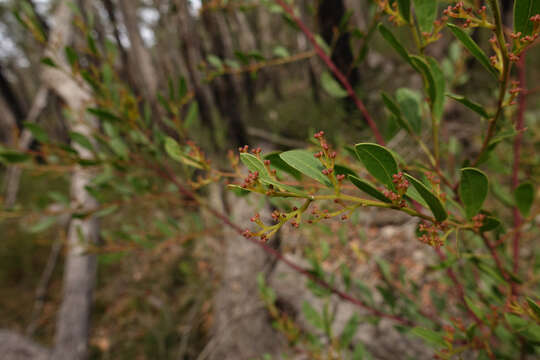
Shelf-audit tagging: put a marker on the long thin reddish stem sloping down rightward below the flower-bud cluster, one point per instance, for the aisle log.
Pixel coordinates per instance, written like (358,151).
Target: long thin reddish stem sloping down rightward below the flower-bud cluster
(168,175)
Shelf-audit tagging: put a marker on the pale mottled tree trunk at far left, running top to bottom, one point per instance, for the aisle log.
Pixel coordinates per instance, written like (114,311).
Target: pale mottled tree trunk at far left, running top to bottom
(73,321)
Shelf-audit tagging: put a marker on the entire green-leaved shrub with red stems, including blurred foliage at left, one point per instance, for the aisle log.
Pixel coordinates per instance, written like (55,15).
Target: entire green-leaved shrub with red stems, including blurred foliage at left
(495,313)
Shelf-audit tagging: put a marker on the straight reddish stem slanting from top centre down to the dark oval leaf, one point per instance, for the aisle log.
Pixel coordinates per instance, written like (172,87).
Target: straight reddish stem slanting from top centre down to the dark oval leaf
(338,74)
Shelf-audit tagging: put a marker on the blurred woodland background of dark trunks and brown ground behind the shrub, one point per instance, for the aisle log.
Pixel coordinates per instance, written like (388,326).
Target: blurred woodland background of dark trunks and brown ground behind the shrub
(257,80)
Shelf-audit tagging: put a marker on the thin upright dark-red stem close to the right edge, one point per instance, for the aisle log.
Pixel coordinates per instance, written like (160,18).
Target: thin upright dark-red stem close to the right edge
(517,153)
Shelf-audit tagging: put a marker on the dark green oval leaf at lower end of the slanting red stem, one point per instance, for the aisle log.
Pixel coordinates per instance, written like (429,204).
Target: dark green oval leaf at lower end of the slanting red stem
(378,161)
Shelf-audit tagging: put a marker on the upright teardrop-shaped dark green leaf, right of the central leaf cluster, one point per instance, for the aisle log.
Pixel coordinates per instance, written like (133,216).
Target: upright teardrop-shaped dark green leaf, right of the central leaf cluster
(473,189)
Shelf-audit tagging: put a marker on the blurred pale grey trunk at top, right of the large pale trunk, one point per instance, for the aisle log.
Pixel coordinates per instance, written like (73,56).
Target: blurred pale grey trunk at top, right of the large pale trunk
(140,60)
